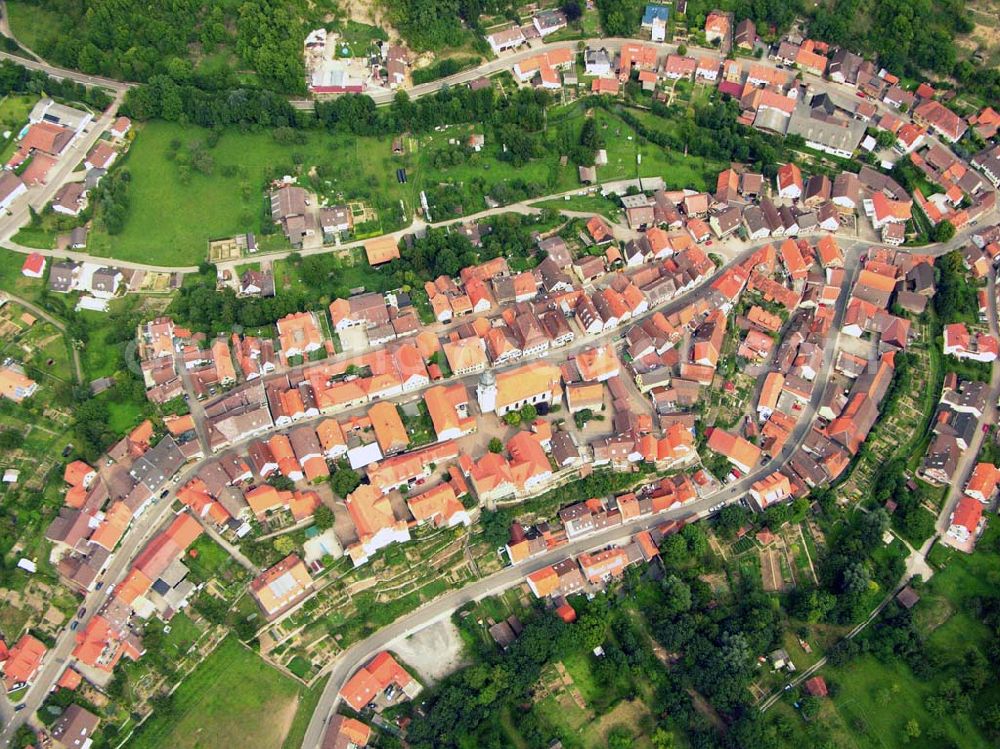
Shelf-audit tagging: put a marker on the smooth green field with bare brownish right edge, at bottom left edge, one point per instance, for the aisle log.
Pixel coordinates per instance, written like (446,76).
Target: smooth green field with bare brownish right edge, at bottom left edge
(222,704)
